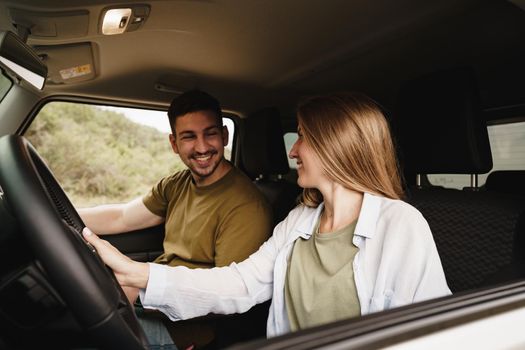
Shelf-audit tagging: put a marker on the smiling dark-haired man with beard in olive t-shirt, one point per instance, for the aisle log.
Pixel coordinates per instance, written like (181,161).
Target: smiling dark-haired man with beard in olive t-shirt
(213,214)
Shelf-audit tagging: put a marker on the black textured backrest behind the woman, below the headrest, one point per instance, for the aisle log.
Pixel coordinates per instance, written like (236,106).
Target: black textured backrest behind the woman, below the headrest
(475,232)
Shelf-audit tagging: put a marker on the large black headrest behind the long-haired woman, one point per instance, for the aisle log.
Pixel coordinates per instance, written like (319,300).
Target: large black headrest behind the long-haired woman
(440,126)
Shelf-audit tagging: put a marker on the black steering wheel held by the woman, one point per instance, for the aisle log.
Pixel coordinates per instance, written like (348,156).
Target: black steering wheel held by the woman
(52,228)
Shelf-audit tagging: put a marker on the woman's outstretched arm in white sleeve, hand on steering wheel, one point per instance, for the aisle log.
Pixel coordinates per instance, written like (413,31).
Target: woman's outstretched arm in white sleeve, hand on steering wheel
(183,293)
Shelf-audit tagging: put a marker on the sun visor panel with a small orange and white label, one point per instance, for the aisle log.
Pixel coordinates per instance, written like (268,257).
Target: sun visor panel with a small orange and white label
(67,64)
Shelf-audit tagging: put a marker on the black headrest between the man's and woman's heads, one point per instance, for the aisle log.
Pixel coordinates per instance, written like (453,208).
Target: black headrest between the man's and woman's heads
(262,144)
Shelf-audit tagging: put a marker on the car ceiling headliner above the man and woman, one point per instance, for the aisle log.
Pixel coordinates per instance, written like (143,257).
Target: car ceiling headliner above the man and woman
(250,53)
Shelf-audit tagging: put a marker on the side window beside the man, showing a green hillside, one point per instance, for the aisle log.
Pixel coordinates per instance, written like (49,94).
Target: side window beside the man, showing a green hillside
(103,154)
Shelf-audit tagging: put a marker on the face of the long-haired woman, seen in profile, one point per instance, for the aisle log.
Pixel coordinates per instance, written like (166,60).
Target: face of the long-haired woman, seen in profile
(309,168)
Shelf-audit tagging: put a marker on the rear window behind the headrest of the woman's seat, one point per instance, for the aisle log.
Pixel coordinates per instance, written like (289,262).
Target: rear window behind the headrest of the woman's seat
(507,143)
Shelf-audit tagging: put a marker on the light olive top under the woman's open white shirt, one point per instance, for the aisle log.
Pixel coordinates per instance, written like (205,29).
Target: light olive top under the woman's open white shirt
(319,286)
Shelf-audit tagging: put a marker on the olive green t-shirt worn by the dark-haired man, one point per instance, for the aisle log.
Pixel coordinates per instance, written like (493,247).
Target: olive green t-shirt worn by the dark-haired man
(212,225)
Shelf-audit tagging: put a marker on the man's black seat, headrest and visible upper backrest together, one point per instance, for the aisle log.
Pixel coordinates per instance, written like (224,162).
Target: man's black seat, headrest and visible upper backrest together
(264,159)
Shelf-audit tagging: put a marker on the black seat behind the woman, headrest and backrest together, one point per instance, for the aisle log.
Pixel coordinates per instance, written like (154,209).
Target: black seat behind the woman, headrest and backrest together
(442,131)
